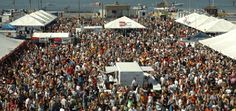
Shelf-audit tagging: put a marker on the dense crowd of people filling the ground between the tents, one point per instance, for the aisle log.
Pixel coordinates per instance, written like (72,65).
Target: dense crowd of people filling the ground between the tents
(59,77)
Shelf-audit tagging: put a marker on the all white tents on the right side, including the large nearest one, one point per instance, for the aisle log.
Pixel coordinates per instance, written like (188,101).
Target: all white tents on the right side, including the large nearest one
(224,43)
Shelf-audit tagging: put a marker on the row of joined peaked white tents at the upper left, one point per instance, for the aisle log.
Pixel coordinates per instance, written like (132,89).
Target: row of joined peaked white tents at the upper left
(36,19)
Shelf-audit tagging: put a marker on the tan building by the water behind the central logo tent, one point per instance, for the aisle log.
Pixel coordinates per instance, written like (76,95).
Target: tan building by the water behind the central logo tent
(117,10)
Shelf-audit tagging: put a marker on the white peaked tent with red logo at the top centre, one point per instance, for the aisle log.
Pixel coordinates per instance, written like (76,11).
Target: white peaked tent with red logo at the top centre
(123,23)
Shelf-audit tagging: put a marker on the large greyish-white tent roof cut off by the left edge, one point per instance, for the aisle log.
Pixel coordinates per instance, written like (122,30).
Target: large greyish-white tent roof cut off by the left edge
(7,45)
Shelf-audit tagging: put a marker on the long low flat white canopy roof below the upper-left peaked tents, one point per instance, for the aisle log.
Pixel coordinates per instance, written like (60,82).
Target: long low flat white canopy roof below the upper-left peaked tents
(50,35)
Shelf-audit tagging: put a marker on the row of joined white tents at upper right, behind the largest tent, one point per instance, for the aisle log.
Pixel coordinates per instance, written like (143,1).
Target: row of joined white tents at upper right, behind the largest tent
(206,24)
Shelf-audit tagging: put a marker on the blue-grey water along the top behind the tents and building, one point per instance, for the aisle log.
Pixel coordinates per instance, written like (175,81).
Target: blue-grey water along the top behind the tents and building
(87,5)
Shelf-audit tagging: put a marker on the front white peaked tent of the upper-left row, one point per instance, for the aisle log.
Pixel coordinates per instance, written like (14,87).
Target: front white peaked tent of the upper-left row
(27,20)
